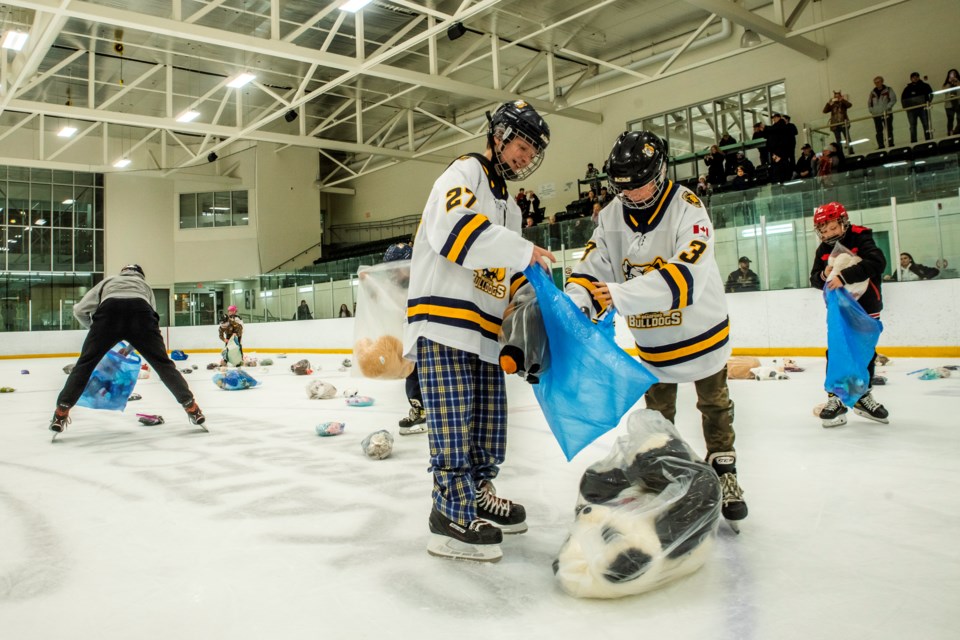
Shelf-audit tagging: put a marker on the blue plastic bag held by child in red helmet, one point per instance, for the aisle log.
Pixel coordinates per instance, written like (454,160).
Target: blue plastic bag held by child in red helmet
(852,337)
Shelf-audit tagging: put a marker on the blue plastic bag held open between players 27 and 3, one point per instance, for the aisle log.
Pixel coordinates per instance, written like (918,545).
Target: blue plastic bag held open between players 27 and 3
(591,382)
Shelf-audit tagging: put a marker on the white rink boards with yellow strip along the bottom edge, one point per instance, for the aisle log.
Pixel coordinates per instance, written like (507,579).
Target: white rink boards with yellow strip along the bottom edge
(918,315)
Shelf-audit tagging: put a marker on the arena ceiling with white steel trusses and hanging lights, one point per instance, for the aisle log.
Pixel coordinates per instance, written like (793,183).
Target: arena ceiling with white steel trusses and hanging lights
(395,81)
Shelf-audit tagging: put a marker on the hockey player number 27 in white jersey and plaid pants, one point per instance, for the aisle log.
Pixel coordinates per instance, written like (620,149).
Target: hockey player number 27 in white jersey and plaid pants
(467,263)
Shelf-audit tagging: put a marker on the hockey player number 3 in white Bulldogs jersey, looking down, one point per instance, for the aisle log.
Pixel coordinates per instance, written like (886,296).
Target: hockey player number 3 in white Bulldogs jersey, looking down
(651,256)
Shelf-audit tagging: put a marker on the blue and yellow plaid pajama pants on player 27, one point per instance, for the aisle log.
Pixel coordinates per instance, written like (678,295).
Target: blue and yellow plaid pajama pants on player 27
(466,405)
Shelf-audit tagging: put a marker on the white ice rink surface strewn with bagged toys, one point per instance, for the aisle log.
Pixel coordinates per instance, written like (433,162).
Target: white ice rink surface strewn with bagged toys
(260,529)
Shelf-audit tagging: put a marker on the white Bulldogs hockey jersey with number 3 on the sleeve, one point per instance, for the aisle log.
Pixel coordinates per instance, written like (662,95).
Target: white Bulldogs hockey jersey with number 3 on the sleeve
(659,265)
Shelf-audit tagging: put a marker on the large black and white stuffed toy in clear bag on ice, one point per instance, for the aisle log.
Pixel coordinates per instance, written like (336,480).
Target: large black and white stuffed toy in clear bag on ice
(647,514)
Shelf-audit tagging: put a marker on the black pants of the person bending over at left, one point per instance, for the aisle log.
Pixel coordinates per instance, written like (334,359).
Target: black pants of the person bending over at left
(135,321)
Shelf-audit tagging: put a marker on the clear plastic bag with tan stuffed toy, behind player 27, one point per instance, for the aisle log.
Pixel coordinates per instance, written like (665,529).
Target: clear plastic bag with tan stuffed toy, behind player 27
(380,319)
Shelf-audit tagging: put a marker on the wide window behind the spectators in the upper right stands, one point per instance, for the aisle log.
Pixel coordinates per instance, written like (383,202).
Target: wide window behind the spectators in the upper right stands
(689,131)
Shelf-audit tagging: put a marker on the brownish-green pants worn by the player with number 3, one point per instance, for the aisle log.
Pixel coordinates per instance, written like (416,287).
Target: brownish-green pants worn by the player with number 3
(713,401)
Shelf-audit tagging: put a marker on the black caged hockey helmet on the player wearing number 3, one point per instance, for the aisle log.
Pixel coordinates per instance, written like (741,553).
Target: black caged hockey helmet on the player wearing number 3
(637,159)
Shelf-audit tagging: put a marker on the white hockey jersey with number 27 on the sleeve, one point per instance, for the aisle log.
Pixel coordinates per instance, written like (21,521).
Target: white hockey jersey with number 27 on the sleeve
(468,257)
